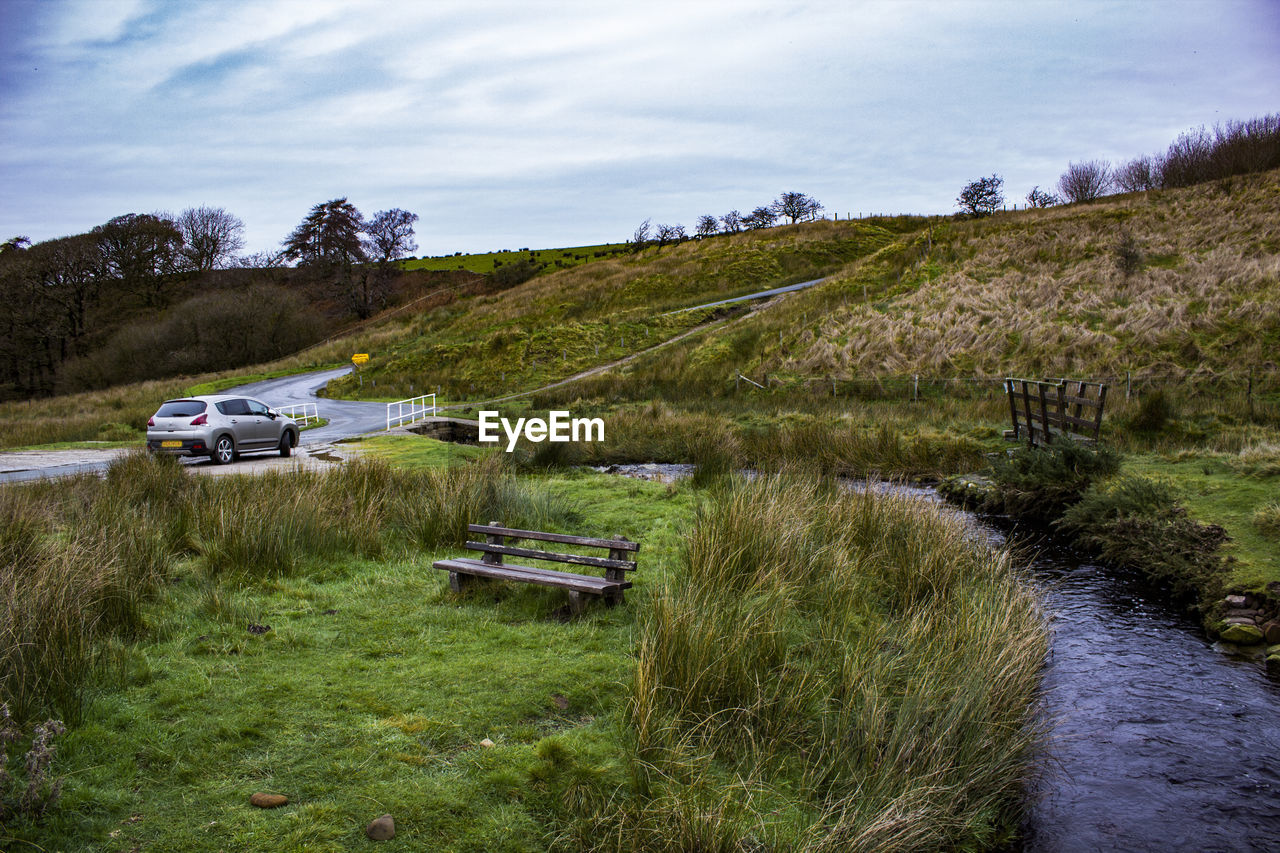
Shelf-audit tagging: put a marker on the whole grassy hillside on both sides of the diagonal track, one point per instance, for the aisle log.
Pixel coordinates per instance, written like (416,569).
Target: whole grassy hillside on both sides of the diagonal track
(1160,285)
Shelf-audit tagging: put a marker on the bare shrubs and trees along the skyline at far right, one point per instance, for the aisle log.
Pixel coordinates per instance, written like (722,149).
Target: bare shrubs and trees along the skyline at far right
(1196,157)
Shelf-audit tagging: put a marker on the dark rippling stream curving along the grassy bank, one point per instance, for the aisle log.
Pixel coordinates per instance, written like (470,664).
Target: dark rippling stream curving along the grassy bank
(1159,741)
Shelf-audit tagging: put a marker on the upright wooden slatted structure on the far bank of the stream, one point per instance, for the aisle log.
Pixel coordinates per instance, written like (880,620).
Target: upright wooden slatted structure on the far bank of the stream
(1044,409)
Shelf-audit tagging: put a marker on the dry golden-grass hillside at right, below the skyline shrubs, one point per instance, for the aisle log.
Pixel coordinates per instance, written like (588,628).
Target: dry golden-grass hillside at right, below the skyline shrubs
(1043,291)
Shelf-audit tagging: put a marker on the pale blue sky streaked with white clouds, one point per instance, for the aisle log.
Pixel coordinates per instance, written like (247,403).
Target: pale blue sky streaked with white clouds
(555,124)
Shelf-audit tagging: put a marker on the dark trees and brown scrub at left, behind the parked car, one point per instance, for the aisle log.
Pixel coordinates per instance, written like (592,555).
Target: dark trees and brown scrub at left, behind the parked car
(70,302)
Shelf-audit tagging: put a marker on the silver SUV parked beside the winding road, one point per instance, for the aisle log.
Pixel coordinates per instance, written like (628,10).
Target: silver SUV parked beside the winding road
(221,428)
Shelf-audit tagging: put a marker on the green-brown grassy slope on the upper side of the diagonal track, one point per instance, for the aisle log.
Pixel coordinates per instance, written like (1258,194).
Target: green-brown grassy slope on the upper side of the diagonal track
(561,323)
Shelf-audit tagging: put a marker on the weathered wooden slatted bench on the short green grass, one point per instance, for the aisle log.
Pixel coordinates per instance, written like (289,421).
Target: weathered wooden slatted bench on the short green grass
(495,548)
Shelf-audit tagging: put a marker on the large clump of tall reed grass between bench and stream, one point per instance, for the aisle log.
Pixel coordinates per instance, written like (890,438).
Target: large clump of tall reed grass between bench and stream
(828,672)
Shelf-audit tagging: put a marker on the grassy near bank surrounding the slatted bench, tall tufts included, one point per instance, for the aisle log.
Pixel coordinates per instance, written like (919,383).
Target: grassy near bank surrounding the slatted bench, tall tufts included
(313,651)
